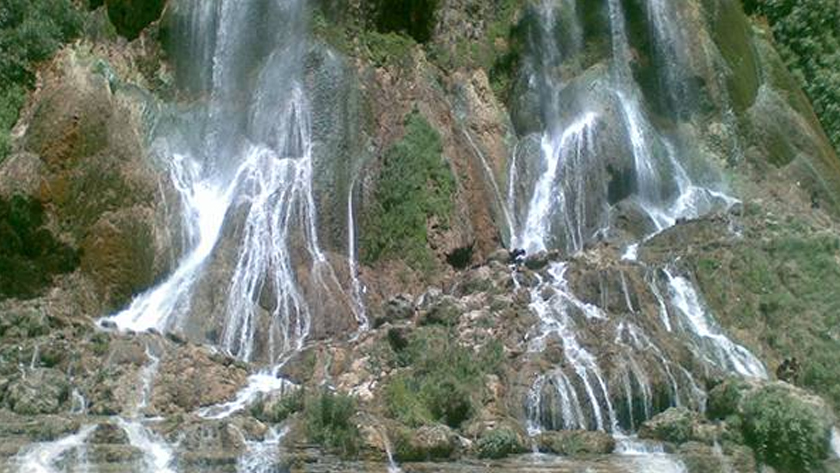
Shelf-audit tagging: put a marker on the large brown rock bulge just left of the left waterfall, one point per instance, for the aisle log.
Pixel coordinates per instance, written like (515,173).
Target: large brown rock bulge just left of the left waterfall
(98,202)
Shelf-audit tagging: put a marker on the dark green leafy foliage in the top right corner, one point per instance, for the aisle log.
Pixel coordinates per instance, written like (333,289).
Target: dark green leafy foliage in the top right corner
(806,32)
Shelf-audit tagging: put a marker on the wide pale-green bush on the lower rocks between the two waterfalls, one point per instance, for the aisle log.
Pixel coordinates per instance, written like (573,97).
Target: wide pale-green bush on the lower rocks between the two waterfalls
(444,381)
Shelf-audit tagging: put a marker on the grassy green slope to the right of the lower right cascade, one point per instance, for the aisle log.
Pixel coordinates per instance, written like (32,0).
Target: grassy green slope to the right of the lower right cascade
(778,292)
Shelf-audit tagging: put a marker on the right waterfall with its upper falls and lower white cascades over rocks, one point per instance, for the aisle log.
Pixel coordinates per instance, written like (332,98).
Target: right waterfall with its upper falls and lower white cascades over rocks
(567,203)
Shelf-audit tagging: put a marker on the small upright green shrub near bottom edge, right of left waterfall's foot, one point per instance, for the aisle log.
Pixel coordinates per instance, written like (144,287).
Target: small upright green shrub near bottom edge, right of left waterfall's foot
(328,418)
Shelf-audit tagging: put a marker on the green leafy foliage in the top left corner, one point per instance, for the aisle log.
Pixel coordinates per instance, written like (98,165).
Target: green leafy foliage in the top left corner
(30,31)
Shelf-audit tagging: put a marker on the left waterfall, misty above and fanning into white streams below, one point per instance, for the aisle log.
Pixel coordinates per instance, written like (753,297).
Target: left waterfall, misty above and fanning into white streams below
(241,161)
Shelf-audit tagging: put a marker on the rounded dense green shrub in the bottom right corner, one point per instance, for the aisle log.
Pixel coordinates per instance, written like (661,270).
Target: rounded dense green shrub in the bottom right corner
(785,432)
